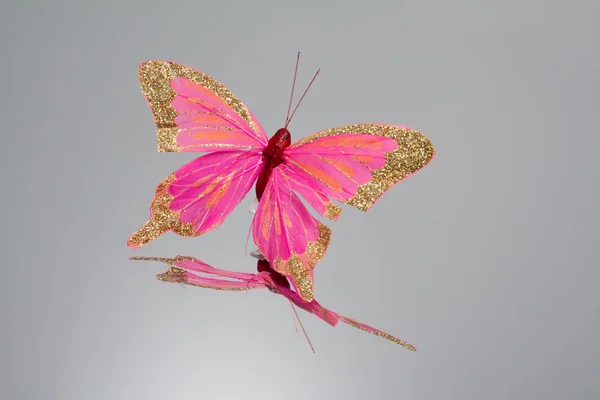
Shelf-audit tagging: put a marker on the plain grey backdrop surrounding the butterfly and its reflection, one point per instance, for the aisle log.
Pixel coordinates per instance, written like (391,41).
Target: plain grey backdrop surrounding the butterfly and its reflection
(484,260)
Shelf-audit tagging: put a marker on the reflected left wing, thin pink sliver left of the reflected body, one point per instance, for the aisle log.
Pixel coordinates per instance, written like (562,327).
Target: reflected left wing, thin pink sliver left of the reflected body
(180,267)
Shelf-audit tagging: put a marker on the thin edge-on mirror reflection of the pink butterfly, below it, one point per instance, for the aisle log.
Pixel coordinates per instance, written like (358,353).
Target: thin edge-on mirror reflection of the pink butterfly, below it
(179,271)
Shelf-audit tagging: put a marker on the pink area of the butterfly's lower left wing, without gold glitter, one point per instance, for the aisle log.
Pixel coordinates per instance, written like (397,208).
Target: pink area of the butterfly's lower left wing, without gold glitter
(206,190)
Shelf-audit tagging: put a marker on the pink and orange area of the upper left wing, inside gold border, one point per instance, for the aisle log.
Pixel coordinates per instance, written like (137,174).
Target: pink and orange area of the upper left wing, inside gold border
(207,123)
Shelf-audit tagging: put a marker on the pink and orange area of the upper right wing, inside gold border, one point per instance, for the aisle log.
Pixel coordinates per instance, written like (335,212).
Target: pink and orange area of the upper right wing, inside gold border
(337,165)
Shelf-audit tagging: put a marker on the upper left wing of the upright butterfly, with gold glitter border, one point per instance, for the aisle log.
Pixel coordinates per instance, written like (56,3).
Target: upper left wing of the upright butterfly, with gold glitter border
(194,112)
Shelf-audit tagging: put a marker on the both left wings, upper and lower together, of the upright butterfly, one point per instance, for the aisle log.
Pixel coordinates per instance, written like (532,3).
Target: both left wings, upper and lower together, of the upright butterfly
(195,113)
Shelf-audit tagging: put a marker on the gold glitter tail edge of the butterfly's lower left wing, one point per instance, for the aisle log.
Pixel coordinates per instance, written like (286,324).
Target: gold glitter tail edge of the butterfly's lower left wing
(162,220)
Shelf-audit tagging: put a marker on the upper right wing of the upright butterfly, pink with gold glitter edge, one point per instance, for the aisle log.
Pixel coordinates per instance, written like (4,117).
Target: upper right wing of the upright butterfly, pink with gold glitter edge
(356,164)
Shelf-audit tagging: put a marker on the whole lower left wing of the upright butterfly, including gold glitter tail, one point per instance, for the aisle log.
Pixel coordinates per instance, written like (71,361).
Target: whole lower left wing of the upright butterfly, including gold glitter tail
(200,195)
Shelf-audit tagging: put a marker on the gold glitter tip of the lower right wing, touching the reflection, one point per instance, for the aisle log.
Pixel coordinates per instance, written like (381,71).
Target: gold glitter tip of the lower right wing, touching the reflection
(300,266)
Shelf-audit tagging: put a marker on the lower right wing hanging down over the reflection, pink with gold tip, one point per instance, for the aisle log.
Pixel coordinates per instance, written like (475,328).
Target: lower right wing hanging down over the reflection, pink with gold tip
(289,237)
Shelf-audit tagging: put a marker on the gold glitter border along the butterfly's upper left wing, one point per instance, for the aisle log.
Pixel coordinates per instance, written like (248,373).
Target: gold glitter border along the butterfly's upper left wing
(155,79)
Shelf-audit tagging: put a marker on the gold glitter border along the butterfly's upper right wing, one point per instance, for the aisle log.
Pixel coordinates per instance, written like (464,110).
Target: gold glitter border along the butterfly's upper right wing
(414,151)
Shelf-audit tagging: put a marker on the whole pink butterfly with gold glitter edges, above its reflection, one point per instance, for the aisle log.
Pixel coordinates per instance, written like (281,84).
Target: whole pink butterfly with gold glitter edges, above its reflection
(352,164)
